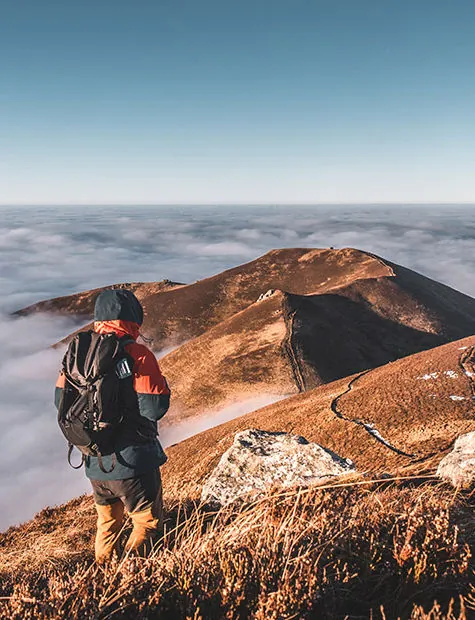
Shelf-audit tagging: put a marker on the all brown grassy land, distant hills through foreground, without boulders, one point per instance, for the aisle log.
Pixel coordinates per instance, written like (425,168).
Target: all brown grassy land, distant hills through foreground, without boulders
(402,547)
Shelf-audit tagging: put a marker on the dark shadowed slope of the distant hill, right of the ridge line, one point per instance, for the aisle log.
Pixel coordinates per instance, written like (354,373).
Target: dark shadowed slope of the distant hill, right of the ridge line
(371,322)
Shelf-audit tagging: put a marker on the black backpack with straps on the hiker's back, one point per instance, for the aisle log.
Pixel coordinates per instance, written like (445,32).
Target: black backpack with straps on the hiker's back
(91,407)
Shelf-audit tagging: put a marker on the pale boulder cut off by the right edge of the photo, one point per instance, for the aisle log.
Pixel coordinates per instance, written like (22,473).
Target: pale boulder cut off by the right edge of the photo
(458,467)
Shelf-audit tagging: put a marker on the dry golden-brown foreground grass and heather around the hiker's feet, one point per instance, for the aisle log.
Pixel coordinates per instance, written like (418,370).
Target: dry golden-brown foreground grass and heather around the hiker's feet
(385,550)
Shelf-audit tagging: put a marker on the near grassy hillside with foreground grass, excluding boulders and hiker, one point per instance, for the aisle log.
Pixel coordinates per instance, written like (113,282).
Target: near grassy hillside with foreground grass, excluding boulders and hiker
(390,541)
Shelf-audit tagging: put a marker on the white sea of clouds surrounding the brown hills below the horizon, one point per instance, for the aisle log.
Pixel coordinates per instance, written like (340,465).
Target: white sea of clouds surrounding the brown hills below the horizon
(47,252)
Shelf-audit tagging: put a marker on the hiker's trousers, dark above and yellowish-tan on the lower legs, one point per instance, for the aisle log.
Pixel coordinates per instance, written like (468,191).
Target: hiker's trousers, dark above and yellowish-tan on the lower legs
(142,498)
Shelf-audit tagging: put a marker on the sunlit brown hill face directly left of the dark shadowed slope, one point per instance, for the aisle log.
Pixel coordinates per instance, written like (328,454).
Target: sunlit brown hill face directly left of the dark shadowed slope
(240,358)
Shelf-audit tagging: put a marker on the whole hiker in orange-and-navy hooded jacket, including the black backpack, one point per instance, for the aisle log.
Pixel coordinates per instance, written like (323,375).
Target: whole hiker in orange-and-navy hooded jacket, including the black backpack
(127,476)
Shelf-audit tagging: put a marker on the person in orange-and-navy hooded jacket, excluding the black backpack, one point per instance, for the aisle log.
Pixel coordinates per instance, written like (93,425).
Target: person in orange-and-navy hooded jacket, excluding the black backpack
(128,479)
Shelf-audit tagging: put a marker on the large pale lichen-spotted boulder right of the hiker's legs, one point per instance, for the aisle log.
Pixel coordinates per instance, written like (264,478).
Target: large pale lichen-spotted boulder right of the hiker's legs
(259,460)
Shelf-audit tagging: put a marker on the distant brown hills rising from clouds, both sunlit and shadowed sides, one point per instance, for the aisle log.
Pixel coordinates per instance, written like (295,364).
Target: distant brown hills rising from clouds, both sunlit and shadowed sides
(326,314)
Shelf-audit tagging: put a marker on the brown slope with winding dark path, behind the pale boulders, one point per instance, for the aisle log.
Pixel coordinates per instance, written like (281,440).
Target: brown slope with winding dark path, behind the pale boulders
(419,405)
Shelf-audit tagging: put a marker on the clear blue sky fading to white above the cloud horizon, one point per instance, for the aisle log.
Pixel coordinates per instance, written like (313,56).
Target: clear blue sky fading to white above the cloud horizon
(260,101)
